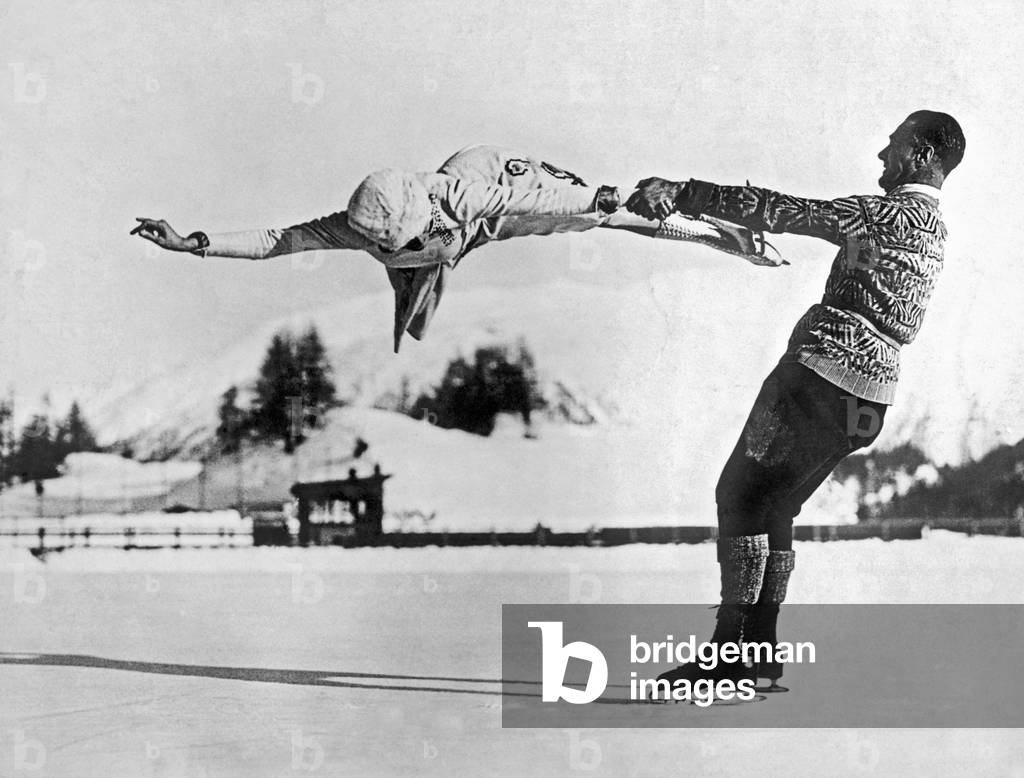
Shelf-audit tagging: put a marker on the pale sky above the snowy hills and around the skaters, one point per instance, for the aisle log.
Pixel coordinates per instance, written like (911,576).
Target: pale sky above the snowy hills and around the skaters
(228,116)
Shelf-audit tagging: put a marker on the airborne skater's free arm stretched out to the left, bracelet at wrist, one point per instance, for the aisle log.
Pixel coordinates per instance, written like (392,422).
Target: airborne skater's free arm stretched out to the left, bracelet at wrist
(329,233)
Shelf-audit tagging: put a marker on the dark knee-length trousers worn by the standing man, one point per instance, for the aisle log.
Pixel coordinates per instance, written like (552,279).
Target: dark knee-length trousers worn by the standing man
(800,428)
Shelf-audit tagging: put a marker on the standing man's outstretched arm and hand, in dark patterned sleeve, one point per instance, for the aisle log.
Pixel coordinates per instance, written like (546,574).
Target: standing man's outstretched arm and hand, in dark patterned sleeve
(753,207)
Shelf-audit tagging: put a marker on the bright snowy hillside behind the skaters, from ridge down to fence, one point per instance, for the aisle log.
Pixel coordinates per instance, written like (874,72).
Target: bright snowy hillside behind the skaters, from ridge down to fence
(657,375)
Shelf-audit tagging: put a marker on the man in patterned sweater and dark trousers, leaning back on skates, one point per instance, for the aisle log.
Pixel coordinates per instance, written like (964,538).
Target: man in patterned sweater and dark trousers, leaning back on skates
(829,395)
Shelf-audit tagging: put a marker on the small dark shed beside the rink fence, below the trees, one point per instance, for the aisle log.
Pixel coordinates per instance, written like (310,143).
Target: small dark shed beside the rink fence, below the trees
(345,512)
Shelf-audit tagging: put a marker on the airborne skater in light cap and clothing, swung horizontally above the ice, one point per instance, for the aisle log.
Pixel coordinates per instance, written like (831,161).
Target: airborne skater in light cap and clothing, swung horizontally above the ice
(419,226)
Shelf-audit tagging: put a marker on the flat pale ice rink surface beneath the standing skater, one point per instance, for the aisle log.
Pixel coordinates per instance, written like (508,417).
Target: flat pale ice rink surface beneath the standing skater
(284,662)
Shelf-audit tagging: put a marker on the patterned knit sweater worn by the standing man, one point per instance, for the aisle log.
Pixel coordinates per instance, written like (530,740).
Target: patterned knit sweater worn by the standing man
(890,255)
